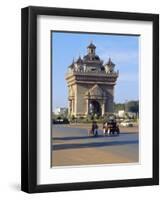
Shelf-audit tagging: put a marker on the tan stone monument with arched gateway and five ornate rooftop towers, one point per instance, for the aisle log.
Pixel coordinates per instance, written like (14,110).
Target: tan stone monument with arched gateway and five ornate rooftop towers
(91,85)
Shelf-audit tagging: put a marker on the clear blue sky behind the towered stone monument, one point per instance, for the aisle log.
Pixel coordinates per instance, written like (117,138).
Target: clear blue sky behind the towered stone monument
(123,50)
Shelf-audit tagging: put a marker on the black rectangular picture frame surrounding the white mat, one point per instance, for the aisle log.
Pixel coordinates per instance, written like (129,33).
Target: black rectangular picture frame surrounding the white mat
(29,99)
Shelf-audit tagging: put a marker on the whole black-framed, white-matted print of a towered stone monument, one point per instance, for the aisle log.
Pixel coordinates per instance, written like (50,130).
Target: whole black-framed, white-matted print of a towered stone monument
(90,99)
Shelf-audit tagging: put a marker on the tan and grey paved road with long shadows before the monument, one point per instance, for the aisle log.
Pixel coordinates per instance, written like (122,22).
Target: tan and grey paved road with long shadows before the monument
(71,146)
